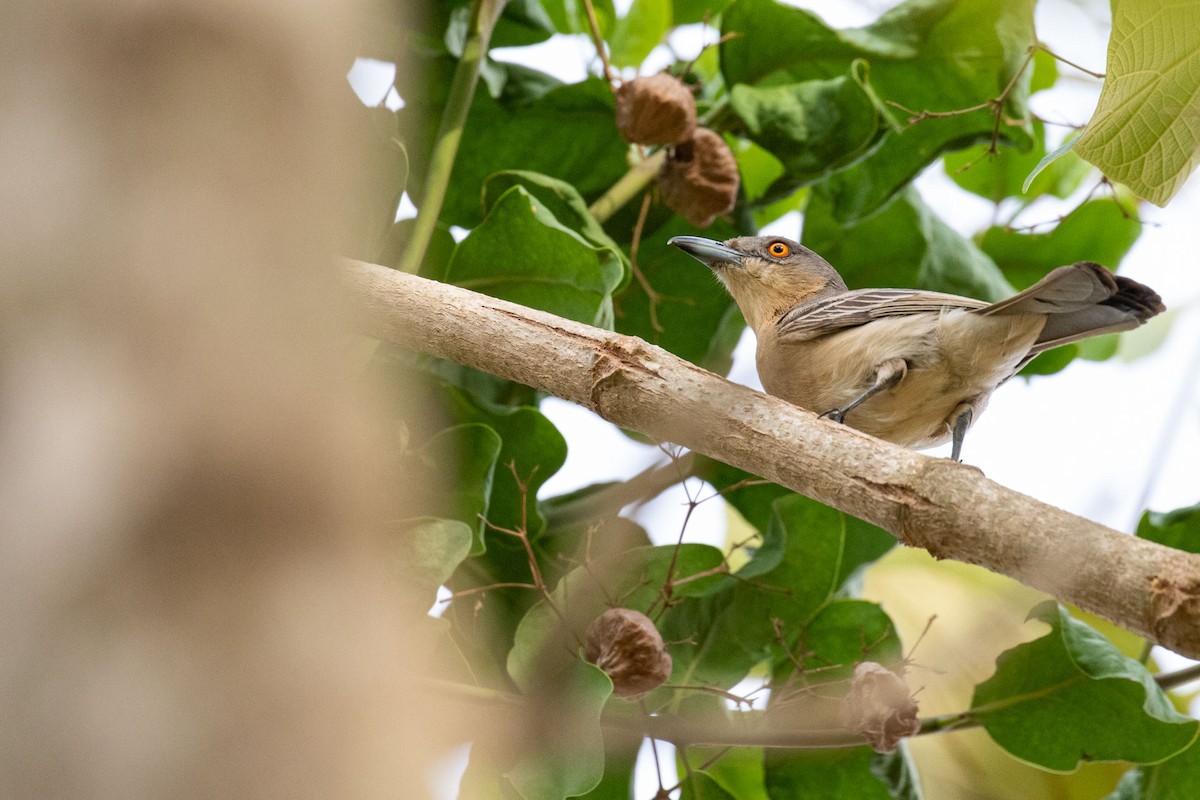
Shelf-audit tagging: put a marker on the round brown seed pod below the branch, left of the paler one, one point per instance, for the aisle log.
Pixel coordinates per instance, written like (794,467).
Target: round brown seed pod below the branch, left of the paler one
(627,646)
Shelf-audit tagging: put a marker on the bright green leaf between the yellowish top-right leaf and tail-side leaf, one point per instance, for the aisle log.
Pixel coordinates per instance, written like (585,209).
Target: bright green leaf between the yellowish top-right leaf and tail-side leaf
(1003,175)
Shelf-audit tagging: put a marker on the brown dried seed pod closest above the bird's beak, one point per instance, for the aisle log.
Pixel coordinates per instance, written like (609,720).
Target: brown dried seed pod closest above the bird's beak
(700,178)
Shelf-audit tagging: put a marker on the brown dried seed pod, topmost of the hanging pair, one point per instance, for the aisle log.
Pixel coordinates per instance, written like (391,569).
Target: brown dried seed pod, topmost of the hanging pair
(656,110)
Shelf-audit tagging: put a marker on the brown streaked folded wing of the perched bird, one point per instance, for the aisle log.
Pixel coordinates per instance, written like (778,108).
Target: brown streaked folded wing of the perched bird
(853,309)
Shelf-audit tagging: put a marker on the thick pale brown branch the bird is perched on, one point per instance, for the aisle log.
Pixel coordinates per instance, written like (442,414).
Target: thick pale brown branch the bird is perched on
(945,508)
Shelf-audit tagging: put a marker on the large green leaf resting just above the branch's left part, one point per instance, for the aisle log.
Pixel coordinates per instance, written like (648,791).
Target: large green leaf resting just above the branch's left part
(523,254)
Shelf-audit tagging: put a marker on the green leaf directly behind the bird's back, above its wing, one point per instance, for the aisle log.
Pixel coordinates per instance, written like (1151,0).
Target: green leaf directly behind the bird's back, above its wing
(905,245)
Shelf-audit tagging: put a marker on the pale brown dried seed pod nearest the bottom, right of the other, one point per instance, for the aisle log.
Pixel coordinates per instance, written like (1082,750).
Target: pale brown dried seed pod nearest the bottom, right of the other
(880,707)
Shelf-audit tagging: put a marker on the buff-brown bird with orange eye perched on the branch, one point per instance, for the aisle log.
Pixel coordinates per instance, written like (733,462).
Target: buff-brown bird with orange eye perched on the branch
(909,366)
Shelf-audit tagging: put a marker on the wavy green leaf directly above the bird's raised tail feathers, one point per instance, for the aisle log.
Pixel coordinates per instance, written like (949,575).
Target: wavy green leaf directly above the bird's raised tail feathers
(1097,231)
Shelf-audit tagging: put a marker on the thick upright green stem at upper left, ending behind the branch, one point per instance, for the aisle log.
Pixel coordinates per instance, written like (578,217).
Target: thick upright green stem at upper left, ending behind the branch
(484,15)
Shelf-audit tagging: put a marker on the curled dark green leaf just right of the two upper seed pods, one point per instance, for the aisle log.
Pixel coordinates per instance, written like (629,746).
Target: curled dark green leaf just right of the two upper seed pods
(814,128)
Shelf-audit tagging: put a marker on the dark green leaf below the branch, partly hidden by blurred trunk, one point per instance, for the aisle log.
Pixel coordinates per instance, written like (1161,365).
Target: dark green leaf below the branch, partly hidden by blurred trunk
(465,460)
